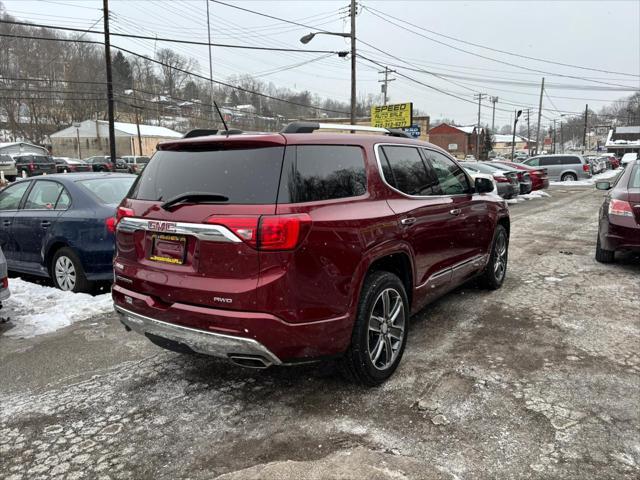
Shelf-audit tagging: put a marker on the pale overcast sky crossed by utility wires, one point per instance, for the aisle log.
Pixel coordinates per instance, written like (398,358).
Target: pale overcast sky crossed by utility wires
(601,35)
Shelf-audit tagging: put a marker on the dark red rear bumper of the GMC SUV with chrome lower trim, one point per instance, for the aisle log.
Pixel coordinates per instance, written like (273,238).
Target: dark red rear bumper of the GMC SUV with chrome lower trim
(285,342)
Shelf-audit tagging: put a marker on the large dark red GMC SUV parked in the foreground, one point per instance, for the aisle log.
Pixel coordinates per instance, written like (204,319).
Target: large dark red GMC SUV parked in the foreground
(292,247)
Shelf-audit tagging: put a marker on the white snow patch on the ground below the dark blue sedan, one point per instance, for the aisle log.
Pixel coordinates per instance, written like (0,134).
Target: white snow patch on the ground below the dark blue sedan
(35,309)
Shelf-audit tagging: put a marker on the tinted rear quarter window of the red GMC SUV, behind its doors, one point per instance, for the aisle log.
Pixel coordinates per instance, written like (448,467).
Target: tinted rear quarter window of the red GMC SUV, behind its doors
(325,172)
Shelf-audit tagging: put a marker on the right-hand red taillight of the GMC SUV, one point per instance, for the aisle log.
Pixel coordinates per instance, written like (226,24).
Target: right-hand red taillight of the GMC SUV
(268,232)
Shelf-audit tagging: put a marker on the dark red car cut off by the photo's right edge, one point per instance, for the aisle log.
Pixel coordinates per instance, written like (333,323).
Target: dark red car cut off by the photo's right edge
(619,225)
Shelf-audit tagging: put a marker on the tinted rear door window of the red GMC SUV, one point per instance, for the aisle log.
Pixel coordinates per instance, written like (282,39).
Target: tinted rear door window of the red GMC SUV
(404,169)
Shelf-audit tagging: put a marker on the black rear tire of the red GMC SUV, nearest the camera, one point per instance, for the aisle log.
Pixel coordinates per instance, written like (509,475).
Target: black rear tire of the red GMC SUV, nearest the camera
(357,364)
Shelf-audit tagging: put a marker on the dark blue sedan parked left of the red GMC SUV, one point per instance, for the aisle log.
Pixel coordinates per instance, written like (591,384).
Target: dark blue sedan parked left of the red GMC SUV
(61,226)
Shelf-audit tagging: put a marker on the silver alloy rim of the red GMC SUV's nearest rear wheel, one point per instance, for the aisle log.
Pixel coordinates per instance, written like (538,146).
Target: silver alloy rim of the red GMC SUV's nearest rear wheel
(386,329)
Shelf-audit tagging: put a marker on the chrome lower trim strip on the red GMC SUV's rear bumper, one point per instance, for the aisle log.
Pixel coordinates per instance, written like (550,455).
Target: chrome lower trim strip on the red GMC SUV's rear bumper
(207,343)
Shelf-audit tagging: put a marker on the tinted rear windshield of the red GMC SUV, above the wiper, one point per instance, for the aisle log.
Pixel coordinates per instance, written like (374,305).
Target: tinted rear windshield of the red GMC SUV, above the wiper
(245,176)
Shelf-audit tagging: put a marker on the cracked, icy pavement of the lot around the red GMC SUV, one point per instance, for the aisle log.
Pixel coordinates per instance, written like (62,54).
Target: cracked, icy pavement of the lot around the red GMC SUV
(540,379)
